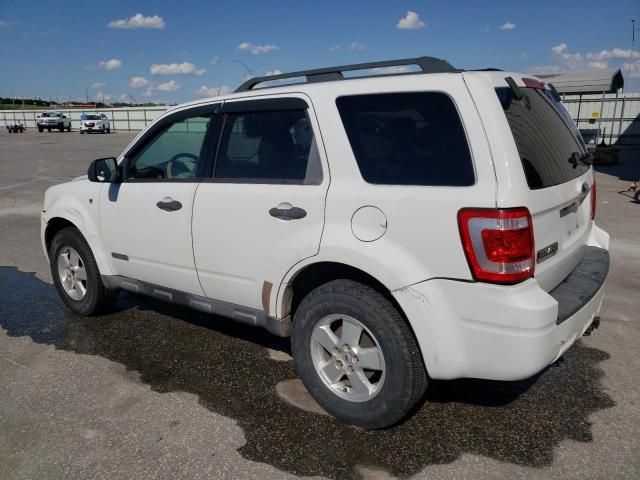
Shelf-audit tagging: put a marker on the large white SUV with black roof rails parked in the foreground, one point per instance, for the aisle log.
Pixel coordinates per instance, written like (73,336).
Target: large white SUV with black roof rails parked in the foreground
(401,227)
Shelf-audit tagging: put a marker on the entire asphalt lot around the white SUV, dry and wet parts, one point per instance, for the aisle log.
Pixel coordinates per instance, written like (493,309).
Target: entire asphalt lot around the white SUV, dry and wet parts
(157,391)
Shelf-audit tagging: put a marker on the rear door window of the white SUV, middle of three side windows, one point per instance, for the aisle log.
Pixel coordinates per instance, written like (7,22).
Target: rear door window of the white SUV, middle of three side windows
(268,147)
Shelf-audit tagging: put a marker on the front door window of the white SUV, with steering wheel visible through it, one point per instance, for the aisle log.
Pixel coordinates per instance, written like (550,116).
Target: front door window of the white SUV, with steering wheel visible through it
(173,154)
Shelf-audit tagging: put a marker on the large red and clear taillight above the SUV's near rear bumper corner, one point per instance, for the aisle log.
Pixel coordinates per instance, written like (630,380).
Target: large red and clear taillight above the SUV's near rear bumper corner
(498,243)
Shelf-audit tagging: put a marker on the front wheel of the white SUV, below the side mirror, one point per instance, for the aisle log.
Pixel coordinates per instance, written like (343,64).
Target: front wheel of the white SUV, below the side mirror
(76,274)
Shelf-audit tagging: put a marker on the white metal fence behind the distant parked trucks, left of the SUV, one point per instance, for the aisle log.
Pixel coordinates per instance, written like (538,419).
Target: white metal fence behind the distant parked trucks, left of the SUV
(122,119)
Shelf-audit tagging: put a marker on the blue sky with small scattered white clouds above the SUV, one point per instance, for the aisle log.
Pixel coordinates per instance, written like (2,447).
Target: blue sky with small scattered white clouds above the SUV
(178,51)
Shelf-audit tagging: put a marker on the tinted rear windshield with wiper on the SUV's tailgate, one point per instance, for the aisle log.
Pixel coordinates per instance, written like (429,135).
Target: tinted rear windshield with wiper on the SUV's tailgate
(545,136)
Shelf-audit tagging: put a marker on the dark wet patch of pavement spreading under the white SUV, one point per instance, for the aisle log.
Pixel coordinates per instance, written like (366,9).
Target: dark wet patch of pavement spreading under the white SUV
(229,369)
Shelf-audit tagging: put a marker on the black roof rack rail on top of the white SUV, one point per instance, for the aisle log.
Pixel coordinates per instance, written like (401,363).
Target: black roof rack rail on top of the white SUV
(426,64)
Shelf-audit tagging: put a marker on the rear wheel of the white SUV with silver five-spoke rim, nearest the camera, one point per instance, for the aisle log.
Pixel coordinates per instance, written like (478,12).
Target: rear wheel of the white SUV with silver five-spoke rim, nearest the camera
(356,355)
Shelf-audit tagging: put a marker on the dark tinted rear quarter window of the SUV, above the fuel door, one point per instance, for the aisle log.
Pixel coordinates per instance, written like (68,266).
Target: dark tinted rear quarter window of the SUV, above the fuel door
(412,138)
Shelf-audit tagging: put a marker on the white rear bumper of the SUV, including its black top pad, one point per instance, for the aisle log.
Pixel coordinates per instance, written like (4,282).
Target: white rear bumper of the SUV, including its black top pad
(498,332)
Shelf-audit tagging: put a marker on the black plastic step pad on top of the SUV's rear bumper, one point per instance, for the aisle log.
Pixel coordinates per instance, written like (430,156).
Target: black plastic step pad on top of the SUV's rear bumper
(575,291)
